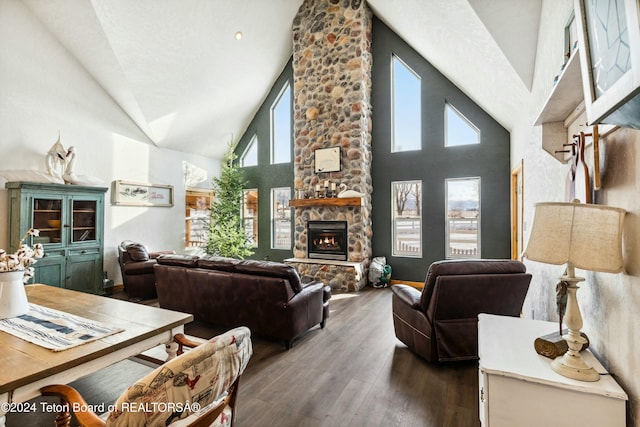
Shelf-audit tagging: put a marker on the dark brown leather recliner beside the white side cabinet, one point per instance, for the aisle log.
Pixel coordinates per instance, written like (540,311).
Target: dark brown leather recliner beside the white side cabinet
(441,322)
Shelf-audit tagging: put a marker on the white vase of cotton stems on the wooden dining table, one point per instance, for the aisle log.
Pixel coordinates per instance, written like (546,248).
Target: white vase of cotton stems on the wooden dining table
(15,270)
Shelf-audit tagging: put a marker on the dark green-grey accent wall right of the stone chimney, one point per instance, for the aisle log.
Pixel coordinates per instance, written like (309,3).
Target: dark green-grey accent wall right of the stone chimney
(489,160)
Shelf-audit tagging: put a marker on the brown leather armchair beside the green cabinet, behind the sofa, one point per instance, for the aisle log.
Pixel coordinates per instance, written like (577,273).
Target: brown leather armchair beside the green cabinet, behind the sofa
(136,265)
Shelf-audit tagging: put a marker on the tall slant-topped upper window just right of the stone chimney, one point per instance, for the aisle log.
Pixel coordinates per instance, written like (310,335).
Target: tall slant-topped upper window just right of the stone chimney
(406,108)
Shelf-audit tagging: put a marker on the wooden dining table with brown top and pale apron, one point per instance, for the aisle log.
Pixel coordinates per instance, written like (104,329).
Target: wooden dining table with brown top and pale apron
(26,367)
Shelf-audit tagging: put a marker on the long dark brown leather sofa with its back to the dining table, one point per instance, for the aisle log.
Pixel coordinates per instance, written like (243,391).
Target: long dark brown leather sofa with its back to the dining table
(267,297)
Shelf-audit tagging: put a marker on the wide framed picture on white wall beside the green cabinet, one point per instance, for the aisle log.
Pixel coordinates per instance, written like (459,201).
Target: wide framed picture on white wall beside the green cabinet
(126,193)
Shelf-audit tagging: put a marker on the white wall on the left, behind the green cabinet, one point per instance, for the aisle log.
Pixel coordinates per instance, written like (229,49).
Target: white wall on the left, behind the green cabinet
(45,91)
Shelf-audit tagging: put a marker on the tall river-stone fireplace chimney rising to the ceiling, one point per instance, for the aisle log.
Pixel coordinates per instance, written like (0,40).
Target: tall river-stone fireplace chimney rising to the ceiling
(332,108)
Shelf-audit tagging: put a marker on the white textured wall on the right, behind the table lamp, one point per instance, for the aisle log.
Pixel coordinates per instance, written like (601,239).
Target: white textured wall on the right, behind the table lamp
(609,302)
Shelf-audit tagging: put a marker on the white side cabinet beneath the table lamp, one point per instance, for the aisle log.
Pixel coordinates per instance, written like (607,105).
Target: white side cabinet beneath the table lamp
(518,387)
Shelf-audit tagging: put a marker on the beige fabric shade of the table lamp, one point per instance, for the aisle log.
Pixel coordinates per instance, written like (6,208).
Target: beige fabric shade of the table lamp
(585,235)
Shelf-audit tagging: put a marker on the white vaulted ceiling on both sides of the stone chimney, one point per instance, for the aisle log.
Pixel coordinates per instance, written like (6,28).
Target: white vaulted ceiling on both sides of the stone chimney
(176,69)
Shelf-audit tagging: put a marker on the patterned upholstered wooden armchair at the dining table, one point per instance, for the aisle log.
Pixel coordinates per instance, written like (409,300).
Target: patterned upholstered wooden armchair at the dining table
(197,388)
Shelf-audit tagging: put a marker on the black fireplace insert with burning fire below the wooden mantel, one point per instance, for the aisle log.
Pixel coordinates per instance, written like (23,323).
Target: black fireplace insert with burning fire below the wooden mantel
(327,240)
